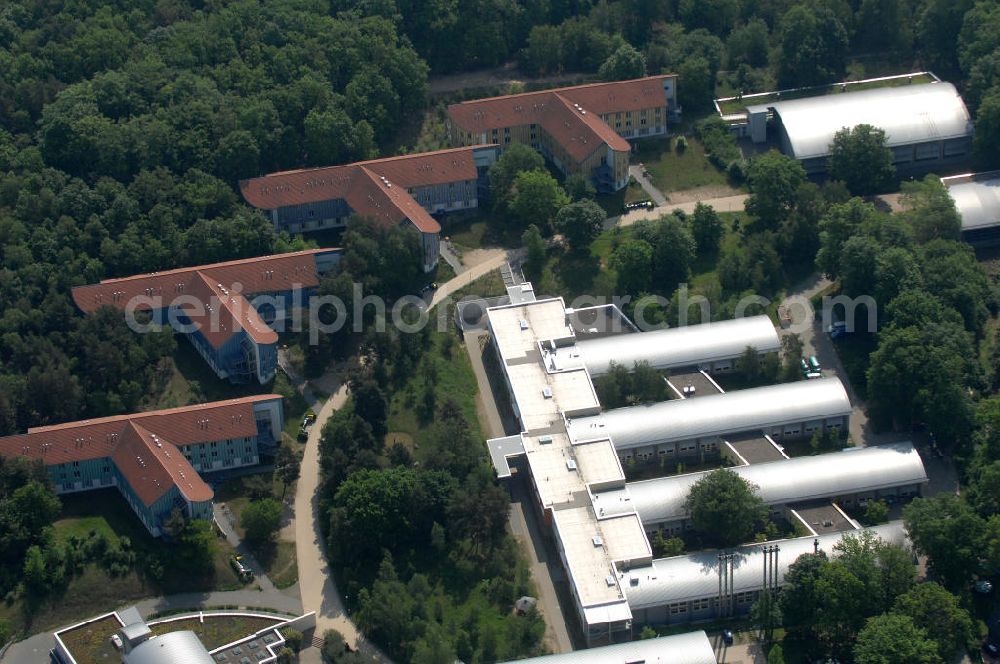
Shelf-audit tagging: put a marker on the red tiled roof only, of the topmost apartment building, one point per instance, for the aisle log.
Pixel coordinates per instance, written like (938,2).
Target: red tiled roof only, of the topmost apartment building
(548,110)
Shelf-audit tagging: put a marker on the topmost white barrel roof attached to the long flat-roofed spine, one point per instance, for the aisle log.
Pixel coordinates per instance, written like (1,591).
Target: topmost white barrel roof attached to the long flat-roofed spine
(680,346)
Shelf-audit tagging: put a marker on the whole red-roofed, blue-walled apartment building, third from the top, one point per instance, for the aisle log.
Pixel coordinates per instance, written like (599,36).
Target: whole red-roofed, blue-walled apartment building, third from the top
(224,309)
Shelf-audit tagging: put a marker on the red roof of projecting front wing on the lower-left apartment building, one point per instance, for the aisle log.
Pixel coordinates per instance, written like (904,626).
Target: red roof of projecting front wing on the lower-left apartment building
(152,465)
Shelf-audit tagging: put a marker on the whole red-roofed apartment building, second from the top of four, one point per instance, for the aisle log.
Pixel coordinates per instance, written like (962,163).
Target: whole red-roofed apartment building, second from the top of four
(403,190)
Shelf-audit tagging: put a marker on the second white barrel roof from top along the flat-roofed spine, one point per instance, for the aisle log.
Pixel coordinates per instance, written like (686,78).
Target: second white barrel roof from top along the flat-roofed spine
(717,414)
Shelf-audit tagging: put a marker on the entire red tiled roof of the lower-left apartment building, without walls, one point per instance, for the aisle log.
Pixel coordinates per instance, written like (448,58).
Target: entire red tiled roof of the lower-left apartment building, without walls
(123,437)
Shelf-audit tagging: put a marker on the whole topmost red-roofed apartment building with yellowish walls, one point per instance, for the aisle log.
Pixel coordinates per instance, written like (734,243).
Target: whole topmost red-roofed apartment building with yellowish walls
(581,129)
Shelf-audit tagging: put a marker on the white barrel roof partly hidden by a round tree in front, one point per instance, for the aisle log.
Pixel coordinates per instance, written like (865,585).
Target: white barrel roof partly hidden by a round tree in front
(854,470)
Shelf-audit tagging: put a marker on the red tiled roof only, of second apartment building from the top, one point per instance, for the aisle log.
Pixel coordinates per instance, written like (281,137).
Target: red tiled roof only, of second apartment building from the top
(312,185)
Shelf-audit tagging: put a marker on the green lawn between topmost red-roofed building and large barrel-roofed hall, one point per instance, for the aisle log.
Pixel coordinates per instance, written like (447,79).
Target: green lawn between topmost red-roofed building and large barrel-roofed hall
(673,171)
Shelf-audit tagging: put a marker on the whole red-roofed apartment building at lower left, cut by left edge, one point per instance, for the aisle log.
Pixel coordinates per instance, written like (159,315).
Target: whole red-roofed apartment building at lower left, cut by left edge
(154,458)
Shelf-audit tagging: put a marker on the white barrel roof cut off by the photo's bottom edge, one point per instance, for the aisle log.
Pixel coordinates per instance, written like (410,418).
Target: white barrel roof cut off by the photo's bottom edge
(689,648)
